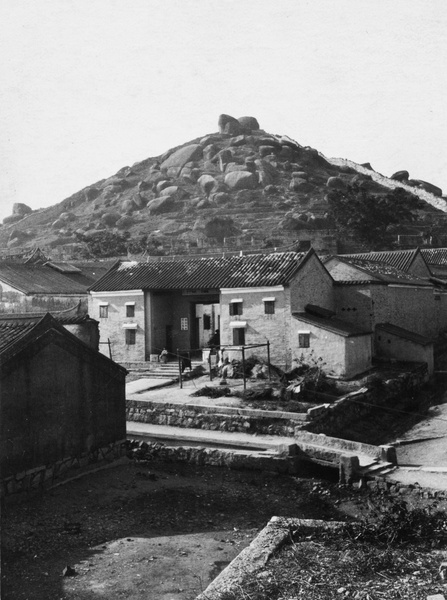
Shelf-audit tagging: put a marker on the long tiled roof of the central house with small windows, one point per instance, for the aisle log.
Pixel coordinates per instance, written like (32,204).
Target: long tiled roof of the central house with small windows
(205,273)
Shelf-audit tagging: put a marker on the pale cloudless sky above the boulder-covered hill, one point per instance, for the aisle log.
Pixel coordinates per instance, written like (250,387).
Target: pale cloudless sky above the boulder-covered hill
(90,86)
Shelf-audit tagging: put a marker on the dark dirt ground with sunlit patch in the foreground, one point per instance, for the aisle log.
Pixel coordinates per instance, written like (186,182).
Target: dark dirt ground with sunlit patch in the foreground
(161,533)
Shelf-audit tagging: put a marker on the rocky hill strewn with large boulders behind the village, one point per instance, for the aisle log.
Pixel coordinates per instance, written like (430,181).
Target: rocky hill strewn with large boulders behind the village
(239,187)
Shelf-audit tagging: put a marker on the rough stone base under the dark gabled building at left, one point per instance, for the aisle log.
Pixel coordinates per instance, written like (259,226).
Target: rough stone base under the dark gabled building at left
(47,476)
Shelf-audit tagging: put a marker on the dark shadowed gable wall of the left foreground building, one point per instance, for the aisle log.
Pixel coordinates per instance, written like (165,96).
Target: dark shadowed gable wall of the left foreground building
(56,403)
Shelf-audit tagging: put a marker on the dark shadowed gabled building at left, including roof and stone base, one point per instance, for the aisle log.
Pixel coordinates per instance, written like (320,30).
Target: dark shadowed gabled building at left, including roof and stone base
(62,402)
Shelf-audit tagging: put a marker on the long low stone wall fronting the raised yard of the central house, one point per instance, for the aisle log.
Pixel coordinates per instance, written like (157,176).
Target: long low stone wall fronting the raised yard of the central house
(214,418)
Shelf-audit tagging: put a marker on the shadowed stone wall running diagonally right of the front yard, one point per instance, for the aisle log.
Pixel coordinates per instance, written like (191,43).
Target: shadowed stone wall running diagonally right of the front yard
(333,419)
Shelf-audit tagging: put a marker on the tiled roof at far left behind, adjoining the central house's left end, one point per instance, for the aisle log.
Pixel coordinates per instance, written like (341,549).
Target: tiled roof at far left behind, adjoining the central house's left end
(43,279)
